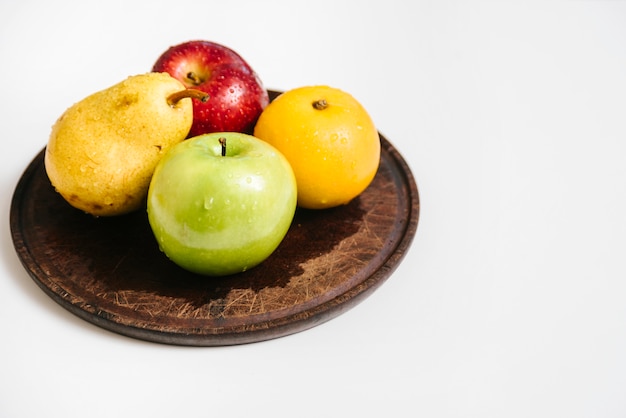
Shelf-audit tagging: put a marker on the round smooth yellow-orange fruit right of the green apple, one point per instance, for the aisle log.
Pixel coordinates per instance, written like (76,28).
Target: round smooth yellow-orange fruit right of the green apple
(328,138)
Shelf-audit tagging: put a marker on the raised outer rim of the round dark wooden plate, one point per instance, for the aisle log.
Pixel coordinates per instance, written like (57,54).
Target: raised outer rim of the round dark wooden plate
(237,334)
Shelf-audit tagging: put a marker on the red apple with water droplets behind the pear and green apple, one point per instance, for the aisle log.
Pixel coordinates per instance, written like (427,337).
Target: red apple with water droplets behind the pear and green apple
(237,96)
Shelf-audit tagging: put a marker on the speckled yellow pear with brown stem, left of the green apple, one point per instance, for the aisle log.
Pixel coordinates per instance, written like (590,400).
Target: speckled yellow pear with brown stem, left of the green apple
(102,151)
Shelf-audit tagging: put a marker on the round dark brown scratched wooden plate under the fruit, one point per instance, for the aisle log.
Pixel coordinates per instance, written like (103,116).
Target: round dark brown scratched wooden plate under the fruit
(110,272)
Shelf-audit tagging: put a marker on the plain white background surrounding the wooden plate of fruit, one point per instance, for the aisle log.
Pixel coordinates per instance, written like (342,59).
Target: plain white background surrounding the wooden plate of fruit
(512,299)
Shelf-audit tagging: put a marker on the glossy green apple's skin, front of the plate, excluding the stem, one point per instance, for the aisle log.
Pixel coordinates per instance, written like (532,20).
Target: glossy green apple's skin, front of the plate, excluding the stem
(218,215)
